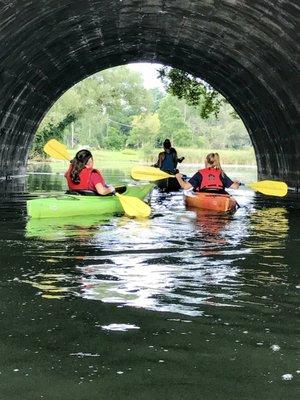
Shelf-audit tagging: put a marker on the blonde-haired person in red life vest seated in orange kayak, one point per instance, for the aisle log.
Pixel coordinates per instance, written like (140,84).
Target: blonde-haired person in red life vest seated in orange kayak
(209,179)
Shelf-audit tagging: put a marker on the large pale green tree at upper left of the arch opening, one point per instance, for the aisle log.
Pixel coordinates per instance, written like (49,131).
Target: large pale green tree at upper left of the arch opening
(110,97)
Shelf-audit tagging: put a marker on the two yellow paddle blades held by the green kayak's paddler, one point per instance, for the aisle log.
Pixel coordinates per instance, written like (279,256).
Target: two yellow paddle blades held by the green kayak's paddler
(132,206)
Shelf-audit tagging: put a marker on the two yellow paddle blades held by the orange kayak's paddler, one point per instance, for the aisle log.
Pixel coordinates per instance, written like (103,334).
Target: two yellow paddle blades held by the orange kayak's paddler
(267,187)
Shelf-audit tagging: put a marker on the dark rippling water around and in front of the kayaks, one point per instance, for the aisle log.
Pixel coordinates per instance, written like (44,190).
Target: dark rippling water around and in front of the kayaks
(184,305)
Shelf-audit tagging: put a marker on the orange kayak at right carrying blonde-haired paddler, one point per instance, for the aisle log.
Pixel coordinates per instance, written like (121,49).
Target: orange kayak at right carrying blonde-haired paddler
(211,201)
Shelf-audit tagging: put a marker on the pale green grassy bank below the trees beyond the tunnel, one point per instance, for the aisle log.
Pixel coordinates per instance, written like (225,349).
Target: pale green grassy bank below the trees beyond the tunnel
(127,157)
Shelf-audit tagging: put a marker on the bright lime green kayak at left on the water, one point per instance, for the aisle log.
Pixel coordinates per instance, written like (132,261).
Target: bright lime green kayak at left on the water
(75,205)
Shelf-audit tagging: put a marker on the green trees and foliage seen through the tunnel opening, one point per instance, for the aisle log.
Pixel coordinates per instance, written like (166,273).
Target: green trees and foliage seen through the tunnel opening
(113,110)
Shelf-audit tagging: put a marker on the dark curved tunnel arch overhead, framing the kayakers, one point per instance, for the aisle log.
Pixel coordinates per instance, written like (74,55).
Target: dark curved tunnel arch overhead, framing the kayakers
(247,49)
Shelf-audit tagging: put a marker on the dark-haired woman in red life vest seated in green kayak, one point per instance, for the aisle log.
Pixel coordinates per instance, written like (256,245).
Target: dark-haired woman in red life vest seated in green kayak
(83,178)
